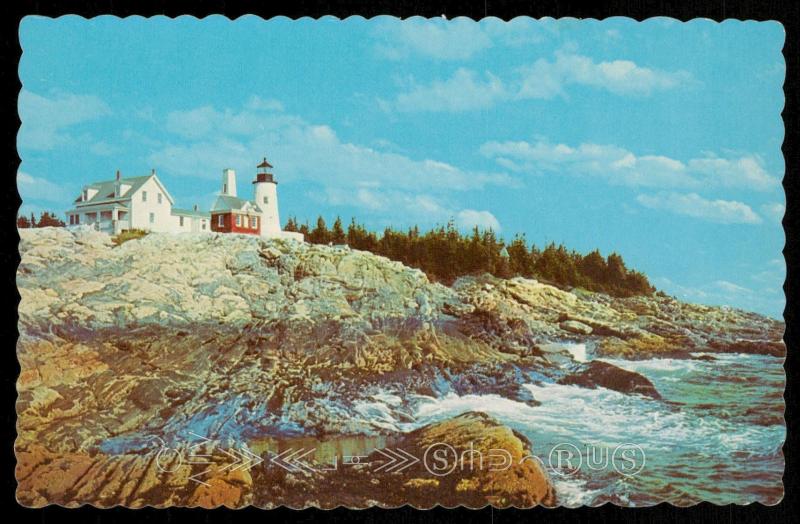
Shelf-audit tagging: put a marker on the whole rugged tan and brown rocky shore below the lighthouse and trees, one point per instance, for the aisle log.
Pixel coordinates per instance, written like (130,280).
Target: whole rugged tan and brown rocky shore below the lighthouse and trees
(236,338)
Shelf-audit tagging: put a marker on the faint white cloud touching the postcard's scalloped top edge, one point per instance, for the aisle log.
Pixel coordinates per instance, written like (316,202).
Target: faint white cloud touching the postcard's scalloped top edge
(457,39)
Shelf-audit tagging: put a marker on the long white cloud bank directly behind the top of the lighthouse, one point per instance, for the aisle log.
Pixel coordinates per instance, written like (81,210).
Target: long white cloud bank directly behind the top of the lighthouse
(340,173)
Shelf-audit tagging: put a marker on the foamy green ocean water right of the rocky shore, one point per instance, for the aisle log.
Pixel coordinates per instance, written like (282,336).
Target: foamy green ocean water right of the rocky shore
(716,435)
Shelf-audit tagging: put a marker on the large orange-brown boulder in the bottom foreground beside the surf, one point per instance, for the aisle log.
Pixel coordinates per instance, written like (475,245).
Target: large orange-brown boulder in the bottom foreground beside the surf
(468,460)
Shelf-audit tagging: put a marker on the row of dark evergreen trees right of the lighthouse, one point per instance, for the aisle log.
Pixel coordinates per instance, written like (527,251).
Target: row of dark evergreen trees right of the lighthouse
(445,254)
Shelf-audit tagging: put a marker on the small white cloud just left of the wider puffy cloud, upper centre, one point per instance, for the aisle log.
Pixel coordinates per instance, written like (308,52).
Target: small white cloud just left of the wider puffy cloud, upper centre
(462,92)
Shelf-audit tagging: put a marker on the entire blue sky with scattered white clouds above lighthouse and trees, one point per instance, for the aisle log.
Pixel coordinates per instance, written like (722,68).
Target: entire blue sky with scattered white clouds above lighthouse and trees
(659,140)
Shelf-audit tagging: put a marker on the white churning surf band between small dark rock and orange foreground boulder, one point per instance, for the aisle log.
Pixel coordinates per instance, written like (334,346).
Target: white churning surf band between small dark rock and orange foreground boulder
(600,416)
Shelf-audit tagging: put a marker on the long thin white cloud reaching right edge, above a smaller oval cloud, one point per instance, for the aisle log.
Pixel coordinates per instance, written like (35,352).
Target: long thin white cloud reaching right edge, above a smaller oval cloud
(618,165)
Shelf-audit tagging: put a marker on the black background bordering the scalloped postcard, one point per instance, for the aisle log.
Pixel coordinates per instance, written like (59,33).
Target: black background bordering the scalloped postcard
(785,12)
